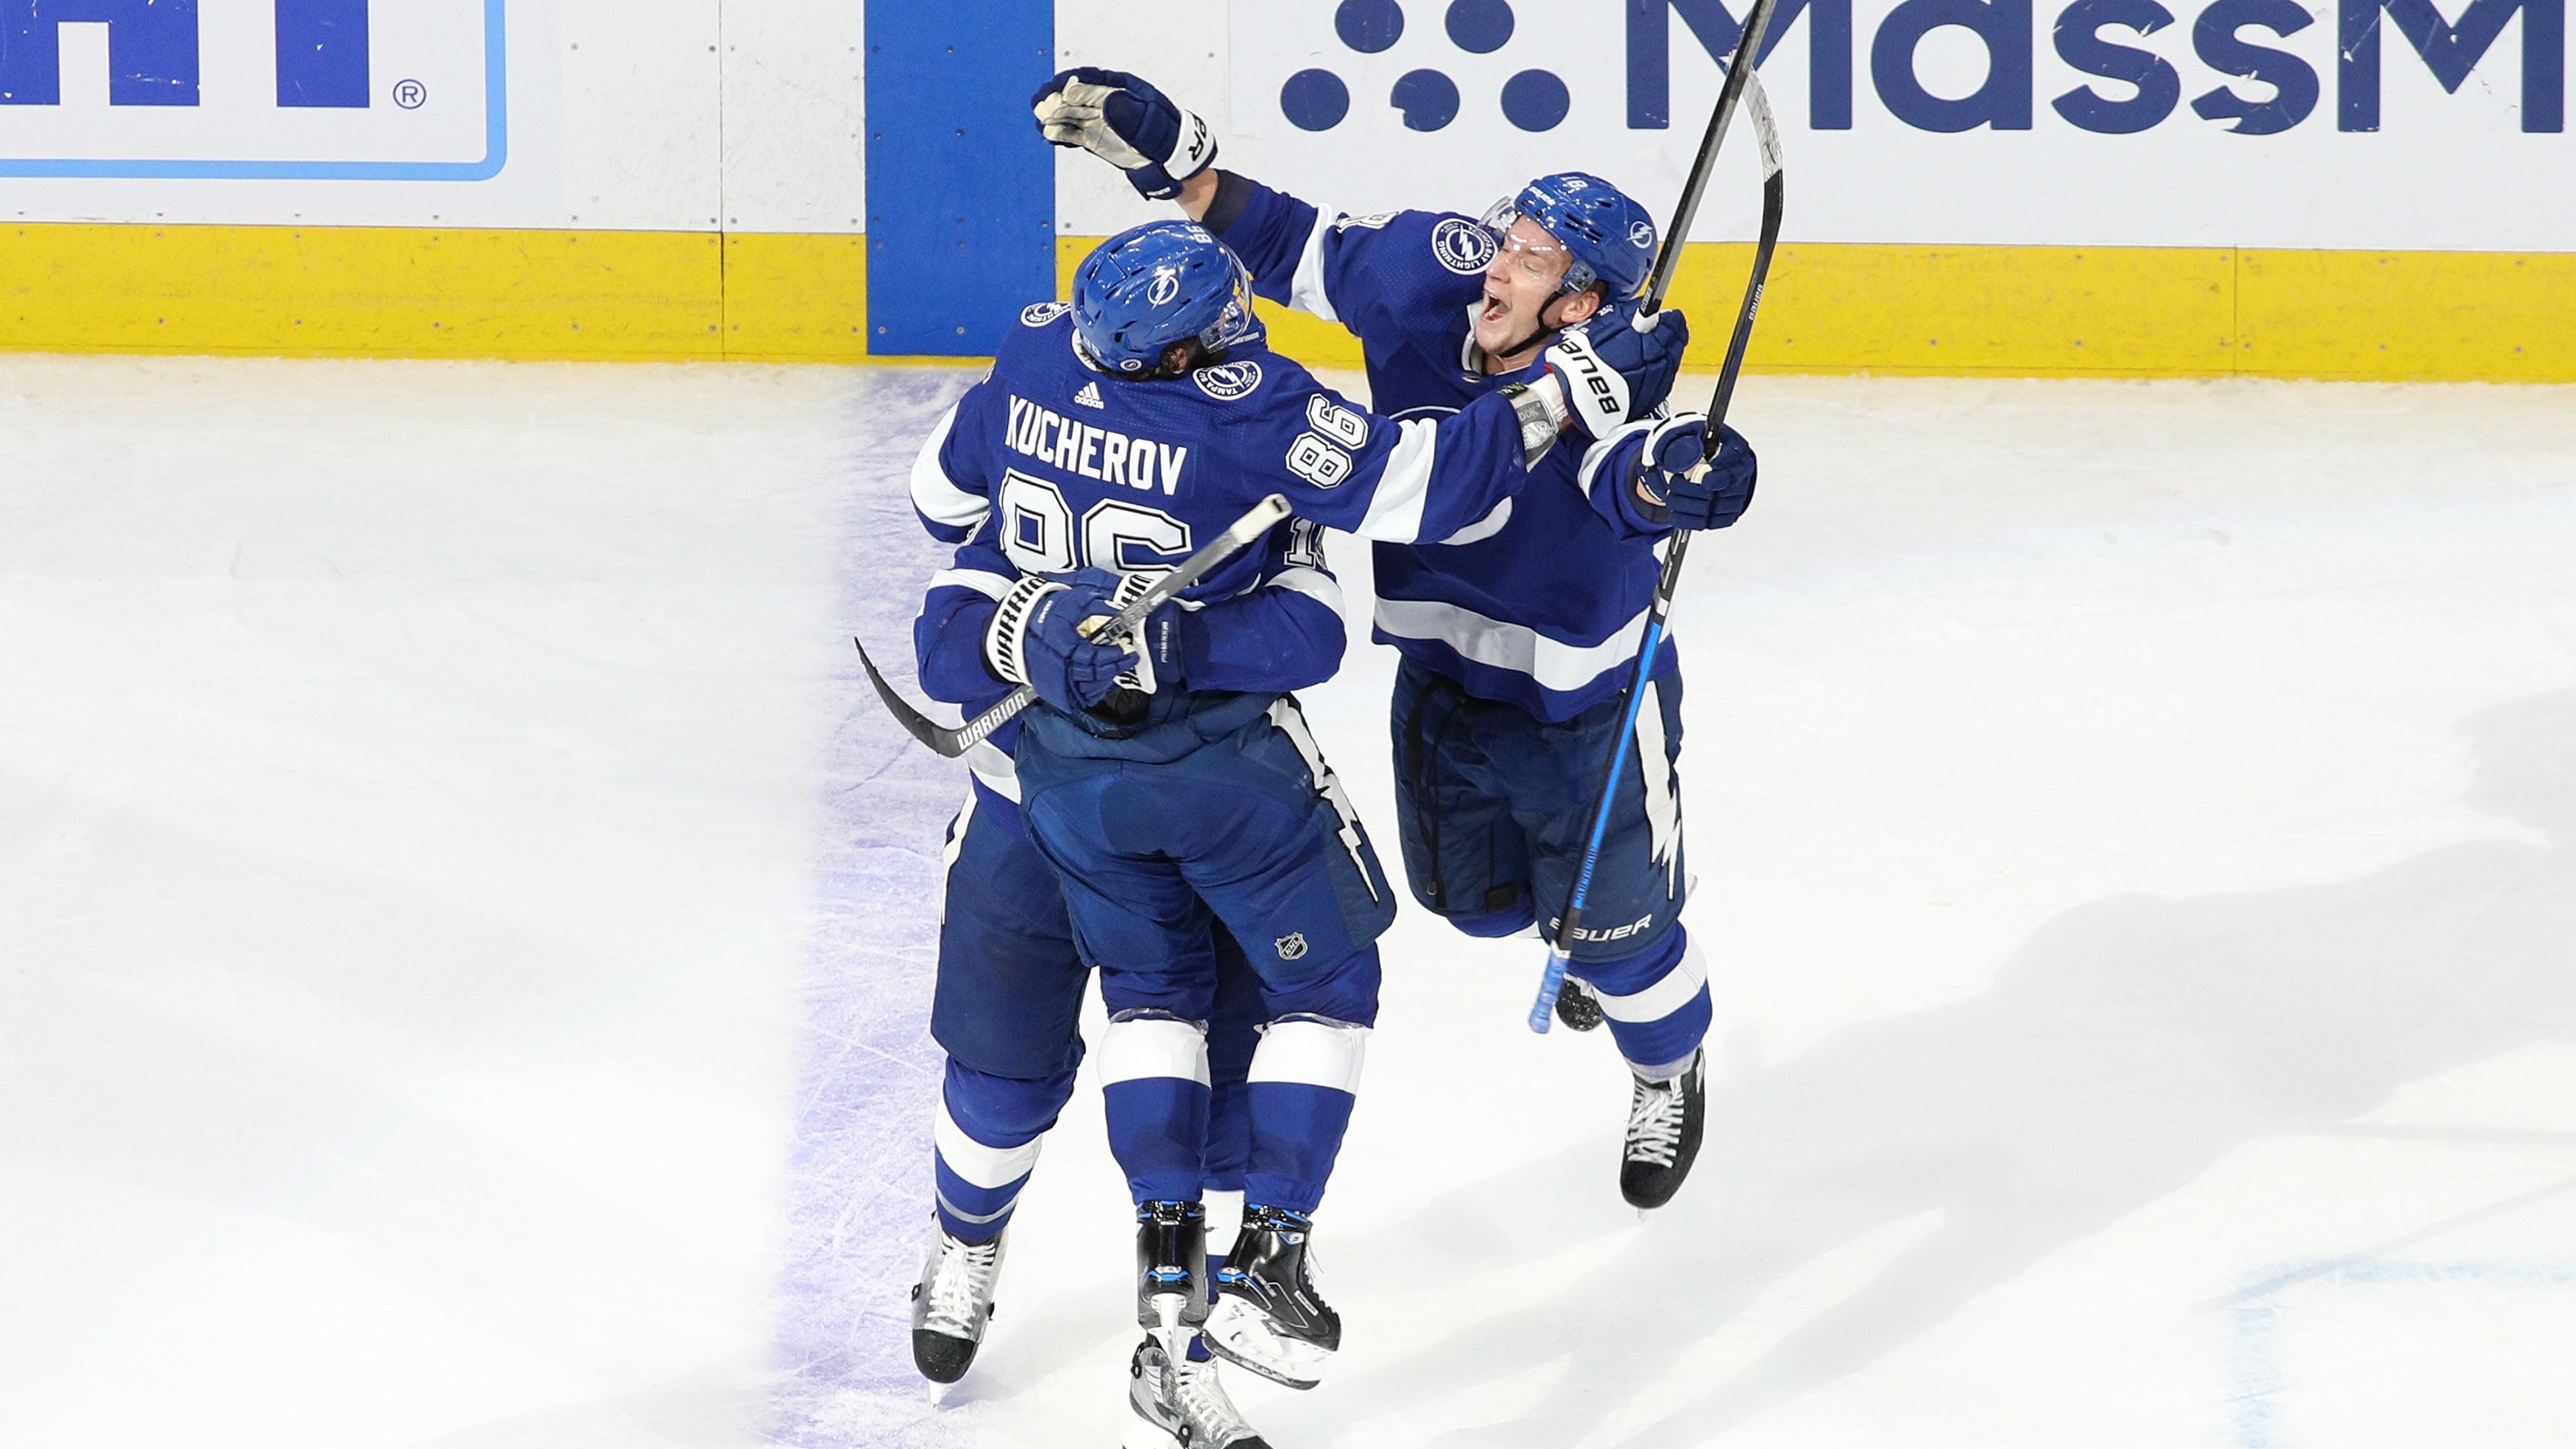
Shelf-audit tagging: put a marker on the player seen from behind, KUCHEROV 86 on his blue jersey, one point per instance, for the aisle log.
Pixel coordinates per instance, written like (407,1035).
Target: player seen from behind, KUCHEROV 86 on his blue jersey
(1109,439)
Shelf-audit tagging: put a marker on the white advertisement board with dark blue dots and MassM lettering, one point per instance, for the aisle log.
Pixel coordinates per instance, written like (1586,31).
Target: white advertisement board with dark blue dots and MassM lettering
(2322,125)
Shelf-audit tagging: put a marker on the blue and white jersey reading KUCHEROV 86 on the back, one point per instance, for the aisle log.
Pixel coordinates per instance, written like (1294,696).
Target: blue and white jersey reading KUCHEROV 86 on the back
(1052,467)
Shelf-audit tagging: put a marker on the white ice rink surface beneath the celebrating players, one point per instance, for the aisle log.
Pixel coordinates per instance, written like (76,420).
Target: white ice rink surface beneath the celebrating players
(465,943)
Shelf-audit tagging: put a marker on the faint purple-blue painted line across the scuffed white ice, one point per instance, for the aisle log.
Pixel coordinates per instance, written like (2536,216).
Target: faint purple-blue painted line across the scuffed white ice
(864,1126)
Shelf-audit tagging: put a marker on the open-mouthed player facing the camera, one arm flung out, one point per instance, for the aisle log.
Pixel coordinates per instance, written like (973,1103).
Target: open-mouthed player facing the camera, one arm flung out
(1521,632)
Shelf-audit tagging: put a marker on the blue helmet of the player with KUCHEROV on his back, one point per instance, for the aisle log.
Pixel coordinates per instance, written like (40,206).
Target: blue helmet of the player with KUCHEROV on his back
(1160,284)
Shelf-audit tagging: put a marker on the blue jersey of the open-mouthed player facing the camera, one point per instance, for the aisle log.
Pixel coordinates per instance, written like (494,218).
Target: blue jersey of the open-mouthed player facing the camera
(1542,604)
